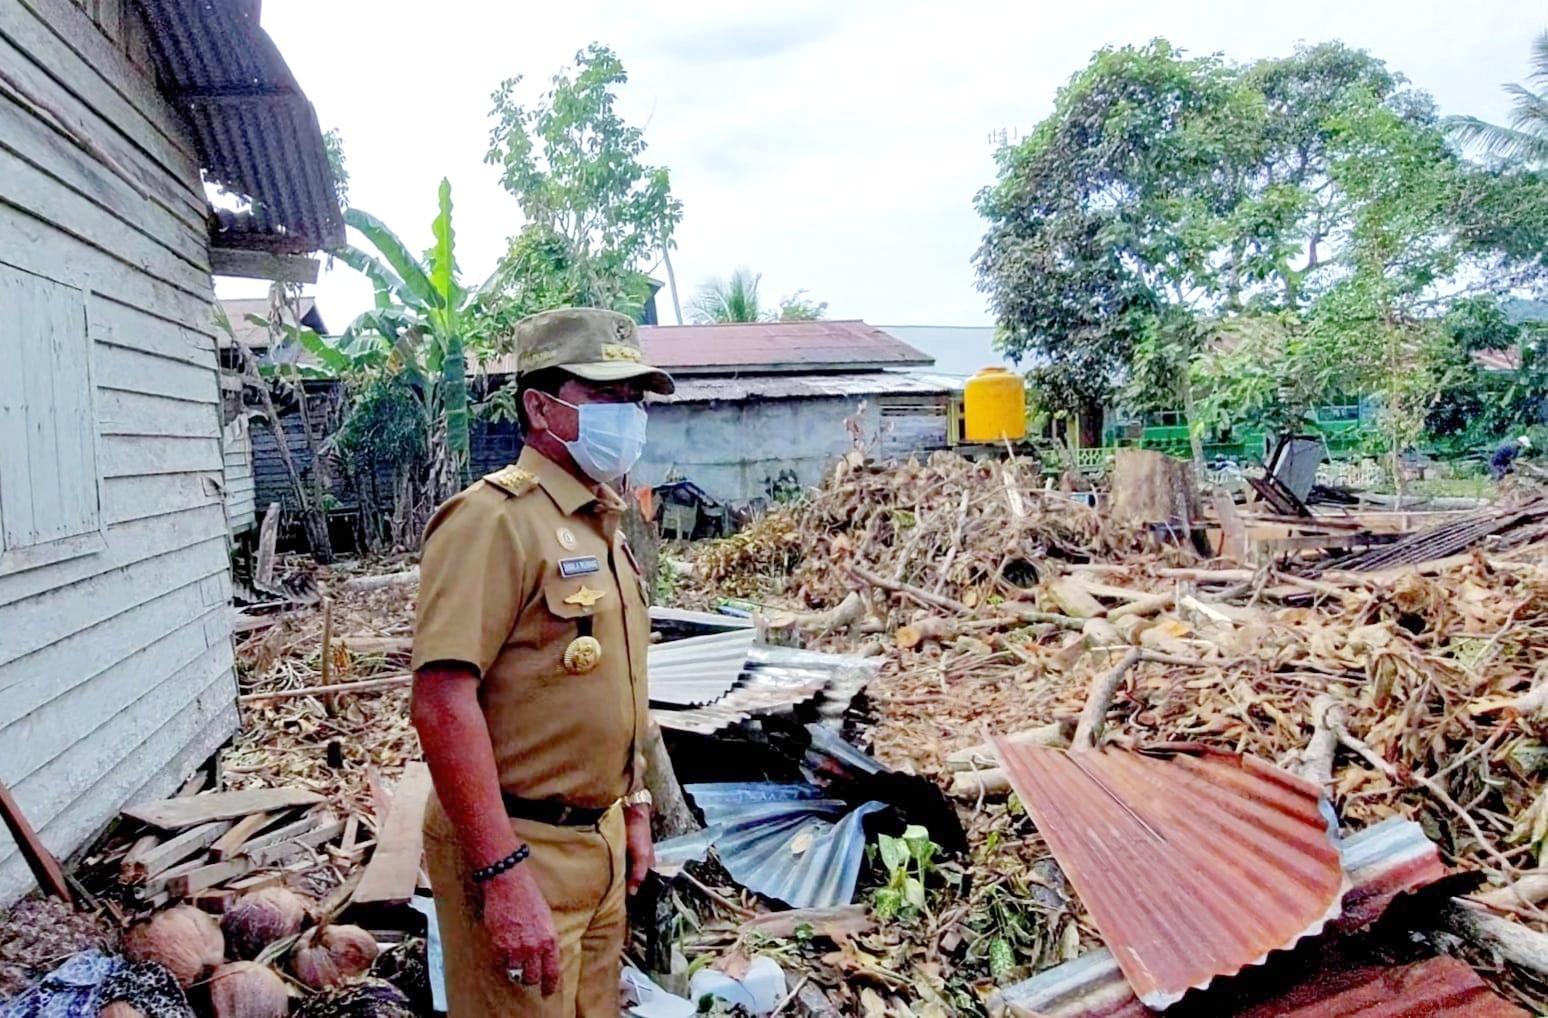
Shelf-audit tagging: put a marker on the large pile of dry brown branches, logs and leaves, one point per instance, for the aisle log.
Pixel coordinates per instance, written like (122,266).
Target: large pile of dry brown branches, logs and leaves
(1405,682)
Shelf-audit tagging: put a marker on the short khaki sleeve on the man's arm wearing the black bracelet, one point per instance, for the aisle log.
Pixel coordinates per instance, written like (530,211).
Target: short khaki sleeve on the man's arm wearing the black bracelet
(470,586)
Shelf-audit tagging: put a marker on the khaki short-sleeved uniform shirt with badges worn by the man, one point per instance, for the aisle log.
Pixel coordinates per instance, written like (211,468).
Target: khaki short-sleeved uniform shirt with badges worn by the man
(516,573)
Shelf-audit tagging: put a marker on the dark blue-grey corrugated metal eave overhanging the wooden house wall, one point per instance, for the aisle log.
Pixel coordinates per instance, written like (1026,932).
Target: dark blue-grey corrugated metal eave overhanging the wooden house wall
(256,132)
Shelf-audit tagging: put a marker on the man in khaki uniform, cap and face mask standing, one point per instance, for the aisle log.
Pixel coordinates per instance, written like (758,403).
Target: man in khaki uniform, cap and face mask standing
(530,688)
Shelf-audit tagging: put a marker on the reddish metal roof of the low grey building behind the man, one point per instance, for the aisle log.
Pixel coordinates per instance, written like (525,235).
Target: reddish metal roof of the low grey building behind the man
(767,349)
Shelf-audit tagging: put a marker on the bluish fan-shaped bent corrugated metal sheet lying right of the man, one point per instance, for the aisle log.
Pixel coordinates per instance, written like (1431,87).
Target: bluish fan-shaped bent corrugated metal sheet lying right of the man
(787,842)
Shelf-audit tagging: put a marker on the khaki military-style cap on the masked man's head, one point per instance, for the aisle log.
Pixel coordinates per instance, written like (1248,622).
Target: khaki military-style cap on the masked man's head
(591,344)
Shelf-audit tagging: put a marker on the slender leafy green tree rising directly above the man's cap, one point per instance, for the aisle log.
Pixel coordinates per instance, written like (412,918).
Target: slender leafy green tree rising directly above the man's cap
(595,213)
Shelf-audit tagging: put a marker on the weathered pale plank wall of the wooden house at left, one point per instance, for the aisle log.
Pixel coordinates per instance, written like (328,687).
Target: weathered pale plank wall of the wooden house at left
(115,644)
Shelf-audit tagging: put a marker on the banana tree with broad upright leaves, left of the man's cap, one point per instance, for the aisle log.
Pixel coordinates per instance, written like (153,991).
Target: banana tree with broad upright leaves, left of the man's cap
(420,329)
